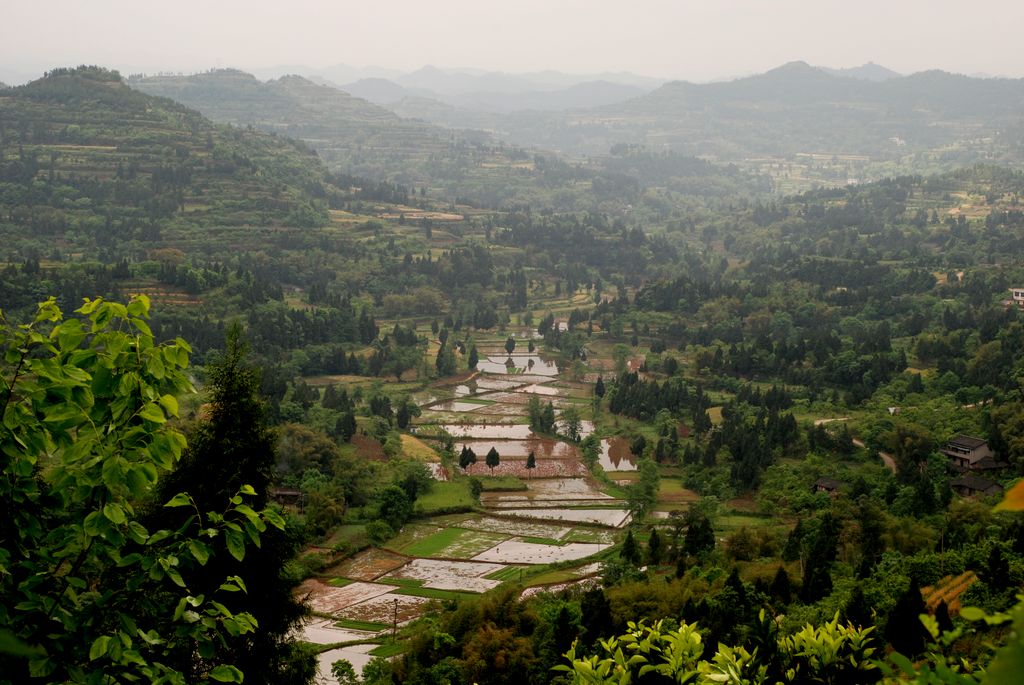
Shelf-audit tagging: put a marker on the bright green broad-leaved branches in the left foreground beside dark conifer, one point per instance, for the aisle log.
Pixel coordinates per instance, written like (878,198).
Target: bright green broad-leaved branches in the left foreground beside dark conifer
(90,594)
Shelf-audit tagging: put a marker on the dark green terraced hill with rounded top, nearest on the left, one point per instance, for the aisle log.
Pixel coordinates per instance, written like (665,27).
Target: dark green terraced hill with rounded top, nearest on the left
(145,168)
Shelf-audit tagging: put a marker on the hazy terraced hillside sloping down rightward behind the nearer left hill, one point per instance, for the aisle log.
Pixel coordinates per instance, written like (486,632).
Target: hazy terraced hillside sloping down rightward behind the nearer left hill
(355,137)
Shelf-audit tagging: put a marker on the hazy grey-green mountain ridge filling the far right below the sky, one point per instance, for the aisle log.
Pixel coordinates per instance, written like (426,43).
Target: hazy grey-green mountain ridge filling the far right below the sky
(799,123)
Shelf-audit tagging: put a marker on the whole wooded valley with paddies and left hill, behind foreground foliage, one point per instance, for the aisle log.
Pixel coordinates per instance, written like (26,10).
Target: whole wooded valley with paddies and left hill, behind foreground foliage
(708,347)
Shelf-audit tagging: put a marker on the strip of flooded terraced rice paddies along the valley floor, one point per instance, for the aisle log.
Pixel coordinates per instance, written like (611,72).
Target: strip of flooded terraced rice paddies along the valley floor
(562,517)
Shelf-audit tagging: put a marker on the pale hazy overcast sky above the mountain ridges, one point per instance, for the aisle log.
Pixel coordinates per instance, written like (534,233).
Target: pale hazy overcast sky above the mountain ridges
(692,39)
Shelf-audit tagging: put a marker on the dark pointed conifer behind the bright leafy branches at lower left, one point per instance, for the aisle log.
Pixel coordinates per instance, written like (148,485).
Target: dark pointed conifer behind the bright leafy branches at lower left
(232,448)
